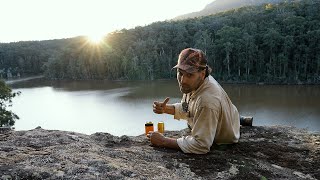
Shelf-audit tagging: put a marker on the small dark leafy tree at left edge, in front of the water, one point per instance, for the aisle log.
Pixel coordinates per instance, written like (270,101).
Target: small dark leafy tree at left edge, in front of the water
(7,117)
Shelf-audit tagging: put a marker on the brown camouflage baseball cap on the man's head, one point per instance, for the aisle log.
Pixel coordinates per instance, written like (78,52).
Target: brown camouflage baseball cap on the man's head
(191,60)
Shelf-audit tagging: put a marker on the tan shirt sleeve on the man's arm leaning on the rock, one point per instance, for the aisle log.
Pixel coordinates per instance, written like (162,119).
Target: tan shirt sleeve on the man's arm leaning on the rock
(202,134)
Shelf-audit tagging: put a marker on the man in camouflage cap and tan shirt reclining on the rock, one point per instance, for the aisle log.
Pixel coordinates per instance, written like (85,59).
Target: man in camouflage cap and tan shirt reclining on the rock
(205,105)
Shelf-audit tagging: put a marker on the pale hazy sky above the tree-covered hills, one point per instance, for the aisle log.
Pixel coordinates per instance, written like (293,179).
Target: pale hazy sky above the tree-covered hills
(54,19)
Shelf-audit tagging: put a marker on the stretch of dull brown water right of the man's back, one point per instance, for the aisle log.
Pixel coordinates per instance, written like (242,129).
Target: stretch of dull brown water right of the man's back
(292,105)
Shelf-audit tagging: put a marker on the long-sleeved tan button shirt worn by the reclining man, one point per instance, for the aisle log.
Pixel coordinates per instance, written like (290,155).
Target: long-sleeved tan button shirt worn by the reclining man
(212,117)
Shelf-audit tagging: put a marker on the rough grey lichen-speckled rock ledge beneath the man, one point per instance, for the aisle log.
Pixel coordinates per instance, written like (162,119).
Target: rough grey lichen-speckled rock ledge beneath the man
(262,153)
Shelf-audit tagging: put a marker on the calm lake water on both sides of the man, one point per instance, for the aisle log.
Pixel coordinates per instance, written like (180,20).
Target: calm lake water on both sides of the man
(122,108)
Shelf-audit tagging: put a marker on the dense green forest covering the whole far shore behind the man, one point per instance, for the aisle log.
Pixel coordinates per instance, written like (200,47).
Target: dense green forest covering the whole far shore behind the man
(270,43)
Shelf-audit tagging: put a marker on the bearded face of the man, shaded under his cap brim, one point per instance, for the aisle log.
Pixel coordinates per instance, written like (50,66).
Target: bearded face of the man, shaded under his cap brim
(189,82)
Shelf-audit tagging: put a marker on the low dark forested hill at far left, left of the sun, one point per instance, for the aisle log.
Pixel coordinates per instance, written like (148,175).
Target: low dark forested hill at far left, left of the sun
(27,58)
